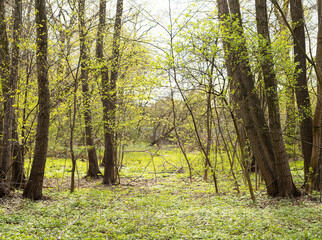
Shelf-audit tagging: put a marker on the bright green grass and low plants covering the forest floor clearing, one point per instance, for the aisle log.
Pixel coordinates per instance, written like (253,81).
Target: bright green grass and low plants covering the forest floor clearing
(154,201)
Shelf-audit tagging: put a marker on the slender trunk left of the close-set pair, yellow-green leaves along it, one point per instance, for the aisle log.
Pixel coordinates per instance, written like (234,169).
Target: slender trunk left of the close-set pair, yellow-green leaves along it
(93,170)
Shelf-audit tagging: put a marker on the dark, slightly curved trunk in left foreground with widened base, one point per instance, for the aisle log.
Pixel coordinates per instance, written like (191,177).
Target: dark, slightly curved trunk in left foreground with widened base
(35,182)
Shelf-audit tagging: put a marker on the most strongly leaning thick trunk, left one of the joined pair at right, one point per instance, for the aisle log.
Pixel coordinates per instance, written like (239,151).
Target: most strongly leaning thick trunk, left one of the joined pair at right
(249,105)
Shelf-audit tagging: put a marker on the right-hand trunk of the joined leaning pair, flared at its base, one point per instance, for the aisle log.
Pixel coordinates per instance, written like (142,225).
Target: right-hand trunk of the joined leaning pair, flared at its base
(286,186)
